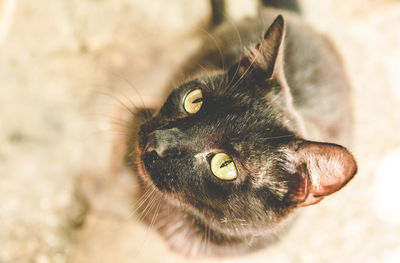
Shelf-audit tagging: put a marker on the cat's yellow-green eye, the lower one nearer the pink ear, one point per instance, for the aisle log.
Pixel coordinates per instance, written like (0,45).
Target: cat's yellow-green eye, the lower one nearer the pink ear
(223,167)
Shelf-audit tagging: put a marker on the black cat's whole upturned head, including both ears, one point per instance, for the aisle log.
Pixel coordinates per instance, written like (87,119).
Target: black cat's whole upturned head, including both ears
(229,146)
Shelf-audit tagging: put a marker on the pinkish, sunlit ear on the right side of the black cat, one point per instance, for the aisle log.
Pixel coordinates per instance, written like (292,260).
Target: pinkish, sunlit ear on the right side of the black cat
(323,169)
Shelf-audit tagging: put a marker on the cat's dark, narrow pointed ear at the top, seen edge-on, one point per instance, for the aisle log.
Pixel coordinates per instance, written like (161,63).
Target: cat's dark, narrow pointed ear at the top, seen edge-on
(266,58)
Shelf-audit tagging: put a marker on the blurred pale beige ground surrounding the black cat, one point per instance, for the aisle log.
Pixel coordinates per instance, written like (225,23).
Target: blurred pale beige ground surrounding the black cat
(69,69)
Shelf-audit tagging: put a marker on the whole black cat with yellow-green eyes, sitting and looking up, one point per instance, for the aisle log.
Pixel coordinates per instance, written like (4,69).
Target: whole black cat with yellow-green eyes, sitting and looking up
(253,133)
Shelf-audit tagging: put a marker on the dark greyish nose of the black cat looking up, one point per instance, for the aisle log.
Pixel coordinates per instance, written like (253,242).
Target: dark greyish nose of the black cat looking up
(164,142)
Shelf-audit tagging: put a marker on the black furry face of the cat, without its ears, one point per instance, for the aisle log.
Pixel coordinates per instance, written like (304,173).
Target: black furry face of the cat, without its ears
(180,148)
